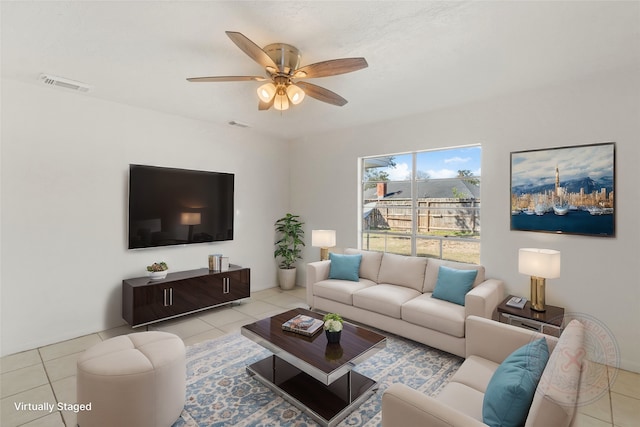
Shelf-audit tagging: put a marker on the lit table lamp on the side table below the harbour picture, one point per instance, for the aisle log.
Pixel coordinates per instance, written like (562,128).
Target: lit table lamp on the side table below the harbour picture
(540,264)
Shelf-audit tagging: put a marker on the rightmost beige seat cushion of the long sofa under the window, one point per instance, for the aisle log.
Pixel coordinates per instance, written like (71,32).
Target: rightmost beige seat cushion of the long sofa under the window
(441,316)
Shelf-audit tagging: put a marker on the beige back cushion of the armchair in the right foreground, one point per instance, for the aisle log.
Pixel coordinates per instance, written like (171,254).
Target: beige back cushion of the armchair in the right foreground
(557,394)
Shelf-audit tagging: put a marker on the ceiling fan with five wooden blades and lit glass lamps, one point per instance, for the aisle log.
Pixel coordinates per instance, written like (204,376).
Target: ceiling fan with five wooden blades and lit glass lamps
(281,62)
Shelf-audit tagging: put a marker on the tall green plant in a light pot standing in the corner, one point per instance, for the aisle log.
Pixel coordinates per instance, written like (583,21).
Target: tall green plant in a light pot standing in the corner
(288,248)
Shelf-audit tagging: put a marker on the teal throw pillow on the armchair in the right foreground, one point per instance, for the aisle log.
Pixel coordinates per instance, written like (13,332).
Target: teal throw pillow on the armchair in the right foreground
(510,391)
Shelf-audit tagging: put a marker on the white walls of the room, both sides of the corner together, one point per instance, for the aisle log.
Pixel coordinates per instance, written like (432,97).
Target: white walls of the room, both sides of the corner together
(64,168)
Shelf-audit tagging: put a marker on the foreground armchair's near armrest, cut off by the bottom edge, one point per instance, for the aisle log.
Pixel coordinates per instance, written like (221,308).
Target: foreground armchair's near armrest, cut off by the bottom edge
(404,406)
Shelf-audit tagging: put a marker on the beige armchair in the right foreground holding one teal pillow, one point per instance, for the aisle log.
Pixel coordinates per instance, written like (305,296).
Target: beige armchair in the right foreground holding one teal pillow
(563,385)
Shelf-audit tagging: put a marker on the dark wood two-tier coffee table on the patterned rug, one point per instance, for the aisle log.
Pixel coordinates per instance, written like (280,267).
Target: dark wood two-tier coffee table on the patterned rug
(313,375)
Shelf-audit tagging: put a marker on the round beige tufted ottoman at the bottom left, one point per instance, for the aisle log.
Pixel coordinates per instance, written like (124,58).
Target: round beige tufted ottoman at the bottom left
(132,380)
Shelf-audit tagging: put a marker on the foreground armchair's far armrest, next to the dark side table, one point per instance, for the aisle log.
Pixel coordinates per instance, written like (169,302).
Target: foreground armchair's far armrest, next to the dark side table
(495,341)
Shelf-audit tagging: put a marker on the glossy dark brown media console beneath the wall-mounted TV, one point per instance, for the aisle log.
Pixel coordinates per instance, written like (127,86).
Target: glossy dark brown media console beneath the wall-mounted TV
(145,301)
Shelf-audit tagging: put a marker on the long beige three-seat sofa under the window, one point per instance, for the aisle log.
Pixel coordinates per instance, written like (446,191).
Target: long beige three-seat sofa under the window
(394,293)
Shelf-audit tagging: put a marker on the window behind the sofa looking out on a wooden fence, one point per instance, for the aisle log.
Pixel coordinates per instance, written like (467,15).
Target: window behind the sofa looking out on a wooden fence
(423,203)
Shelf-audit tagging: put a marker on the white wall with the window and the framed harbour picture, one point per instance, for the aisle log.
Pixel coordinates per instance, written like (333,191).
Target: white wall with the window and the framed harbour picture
(599,275)
